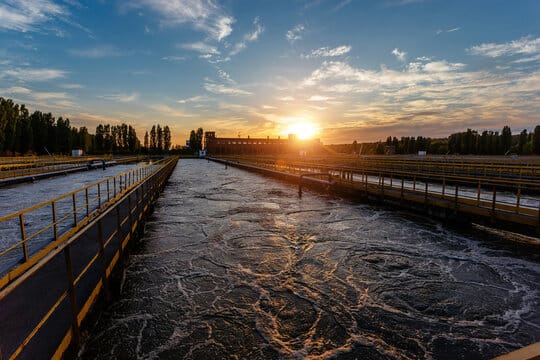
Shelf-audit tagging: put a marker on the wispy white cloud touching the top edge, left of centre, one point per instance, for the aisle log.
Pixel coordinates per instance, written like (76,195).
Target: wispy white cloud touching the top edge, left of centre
(203,15)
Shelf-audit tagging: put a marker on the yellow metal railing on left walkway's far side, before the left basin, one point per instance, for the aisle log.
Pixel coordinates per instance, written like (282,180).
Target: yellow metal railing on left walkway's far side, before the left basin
(42,226)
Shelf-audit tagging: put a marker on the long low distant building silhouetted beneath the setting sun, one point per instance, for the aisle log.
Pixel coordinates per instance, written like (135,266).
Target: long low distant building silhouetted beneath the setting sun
(259,146)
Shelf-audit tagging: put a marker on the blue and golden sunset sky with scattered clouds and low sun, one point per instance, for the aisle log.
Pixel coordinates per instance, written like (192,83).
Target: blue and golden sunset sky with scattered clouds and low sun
(354,69)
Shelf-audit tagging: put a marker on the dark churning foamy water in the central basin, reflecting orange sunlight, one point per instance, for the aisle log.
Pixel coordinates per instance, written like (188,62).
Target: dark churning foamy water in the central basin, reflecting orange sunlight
(234,265)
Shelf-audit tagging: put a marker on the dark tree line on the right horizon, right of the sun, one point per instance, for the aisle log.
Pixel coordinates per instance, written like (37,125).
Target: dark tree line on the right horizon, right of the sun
(470,142)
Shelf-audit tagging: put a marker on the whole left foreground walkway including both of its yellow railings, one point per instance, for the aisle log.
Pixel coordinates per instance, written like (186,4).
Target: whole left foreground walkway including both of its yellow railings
(63,258)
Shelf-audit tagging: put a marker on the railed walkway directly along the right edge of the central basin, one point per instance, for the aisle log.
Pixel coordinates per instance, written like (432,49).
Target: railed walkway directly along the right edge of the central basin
(511,199)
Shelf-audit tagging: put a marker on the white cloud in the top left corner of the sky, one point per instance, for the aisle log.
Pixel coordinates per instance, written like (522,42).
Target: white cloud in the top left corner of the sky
(28,15)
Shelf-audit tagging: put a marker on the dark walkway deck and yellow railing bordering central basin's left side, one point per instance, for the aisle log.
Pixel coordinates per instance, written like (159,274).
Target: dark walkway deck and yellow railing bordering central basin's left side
(42,311)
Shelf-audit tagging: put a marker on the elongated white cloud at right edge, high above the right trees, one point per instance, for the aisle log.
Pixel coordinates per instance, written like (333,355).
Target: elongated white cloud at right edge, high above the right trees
(524,46)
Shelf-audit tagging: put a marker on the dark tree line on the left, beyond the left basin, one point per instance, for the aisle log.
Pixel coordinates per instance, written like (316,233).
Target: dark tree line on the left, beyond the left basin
(41,133)
